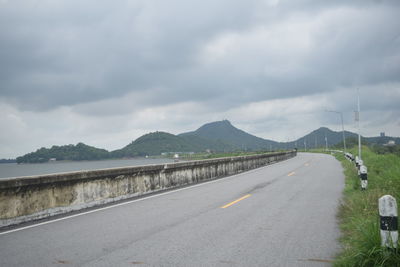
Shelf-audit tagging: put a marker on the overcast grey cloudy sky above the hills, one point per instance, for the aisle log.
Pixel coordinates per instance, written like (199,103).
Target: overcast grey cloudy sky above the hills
(107,72)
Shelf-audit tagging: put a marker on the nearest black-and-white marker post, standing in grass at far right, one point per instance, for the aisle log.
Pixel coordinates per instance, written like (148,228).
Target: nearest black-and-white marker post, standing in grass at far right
(388,221)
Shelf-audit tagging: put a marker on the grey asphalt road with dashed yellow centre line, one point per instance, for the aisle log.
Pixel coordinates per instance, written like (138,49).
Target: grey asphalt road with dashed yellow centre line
(278,215)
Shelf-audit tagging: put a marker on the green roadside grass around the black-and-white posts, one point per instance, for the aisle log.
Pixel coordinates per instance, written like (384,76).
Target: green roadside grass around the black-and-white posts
(358,213)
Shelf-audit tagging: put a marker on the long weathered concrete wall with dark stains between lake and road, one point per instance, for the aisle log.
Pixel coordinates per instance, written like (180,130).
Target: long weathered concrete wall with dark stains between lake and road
(28,198)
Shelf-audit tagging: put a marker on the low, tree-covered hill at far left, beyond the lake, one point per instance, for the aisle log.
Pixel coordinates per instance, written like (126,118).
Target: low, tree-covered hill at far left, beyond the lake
(67,152)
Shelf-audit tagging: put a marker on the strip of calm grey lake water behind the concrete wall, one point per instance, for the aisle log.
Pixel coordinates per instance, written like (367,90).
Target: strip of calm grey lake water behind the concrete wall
(17,170)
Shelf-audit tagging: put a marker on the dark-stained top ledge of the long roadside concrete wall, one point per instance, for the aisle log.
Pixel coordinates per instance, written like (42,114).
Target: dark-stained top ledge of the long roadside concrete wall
(114,172)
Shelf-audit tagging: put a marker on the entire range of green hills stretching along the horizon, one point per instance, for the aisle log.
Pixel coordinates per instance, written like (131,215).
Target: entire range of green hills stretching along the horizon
(220,136)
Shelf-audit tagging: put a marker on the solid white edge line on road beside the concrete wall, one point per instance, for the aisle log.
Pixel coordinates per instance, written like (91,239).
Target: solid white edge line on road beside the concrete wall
(135,200)
